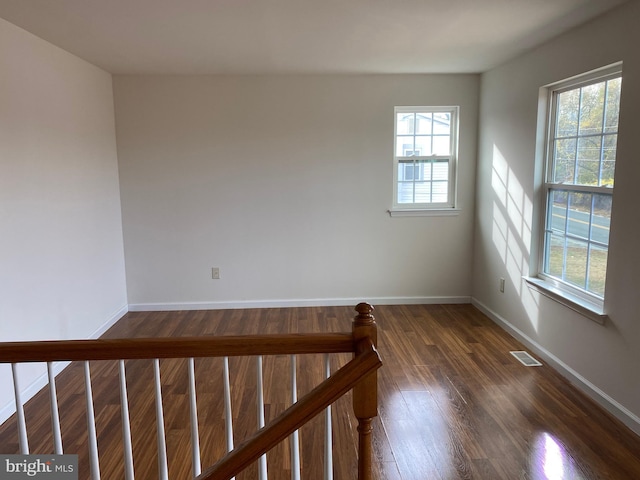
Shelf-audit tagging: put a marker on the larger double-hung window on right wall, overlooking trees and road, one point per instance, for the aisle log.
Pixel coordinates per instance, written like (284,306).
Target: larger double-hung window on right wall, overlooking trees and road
(578,184)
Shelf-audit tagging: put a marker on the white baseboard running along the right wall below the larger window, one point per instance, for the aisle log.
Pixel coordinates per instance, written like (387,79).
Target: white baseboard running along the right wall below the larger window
(616,409)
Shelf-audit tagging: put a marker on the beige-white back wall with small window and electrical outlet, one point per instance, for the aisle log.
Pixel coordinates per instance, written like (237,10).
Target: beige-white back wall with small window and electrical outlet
(284,183)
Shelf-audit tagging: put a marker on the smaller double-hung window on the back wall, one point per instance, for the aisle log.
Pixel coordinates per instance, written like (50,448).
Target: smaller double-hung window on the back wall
(425,157)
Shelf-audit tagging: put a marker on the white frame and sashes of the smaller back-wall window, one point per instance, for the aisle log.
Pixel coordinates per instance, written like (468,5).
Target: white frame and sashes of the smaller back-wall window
(428,208)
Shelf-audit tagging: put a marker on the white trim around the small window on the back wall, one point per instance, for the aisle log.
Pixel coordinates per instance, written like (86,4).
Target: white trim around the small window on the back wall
(429,209)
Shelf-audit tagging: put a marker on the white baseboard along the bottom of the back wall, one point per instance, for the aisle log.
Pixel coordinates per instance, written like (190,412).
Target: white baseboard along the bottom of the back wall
(313,302)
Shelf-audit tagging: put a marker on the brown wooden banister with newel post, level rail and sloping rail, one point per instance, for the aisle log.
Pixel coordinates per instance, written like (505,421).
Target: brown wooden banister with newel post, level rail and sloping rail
(358,375)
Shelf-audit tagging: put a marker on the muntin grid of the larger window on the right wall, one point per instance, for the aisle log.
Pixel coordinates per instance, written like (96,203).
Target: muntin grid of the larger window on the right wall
(552,185)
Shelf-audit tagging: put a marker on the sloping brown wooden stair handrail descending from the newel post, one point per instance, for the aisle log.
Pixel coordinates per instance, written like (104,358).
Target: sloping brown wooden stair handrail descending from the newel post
(366,362)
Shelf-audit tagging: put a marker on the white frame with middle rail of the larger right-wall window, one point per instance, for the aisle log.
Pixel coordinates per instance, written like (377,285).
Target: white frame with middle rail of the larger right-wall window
(584,302)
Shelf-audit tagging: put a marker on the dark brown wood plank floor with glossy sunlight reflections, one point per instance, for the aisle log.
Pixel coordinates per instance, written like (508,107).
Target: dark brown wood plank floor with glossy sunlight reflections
(454,404)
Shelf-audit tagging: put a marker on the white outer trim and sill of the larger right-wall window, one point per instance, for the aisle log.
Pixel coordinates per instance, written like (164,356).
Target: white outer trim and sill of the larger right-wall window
(584,303)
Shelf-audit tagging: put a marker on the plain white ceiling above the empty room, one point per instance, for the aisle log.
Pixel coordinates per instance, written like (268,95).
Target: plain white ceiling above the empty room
(298,36)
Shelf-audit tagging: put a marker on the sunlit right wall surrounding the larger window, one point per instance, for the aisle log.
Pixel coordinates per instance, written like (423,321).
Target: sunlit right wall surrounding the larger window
(604,360)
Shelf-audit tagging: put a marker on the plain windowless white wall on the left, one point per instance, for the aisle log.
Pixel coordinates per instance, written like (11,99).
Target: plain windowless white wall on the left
(61,251)
